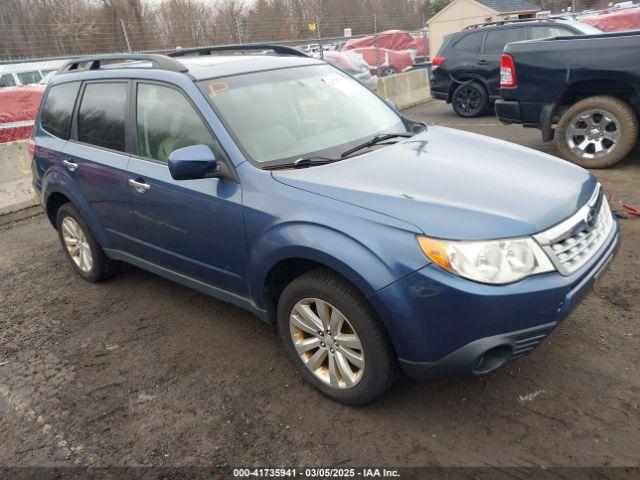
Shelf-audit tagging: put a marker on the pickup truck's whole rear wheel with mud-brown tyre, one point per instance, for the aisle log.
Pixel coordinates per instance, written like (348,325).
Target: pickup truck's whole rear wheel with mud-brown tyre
(597,132)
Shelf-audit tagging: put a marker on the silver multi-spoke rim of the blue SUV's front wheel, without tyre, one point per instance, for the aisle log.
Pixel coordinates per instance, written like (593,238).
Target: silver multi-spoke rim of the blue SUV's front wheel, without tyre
(327,343)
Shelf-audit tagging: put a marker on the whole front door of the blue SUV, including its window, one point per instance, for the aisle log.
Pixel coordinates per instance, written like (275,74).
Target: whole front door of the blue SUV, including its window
(194,227)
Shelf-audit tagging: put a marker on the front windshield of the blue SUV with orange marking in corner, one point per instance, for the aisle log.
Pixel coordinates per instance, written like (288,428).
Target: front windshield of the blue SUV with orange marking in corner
(279,116)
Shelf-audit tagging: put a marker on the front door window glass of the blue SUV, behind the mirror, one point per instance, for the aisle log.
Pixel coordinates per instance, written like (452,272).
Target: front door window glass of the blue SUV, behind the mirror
(166,121)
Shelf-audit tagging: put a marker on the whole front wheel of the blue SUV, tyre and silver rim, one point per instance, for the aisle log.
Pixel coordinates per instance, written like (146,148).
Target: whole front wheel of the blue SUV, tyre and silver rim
(334,339)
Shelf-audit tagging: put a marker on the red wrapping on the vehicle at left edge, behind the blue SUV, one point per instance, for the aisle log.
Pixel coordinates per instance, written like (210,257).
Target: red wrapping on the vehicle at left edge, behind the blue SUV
(18,108)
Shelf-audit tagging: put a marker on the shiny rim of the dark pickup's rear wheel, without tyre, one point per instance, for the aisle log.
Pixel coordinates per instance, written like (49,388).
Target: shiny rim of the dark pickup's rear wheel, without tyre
(593,133)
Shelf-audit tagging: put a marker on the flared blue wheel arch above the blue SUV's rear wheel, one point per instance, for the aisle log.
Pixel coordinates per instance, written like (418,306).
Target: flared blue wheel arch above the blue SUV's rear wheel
(57,180)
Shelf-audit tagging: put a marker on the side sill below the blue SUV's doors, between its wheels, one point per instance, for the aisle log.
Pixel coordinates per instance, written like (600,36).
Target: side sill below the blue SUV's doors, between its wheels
(190,282)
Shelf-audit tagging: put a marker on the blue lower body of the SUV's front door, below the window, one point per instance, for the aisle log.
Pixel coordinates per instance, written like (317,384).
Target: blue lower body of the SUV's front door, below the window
(194,227)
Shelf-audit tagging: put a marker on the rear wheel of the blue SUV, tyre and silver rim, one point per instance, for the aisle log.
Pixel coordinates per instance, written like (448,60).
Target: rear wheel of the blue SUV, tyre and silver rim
(86,256)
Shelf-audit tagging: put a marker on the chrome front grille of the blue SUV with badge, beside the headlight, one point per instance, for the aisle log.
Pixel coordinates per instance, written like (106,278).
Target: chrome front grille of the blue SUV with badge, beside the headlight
(575,241)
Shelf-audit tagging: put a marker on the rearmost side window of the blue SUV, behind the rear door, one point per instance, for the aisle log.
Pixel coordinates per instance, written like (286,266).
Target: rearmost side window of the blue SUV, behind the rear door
(58,109)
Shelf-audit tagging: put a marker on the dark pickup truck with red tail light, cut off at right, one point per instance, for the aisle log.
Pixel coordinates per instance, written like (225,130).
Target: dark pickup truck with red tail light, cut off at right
(584,91)
